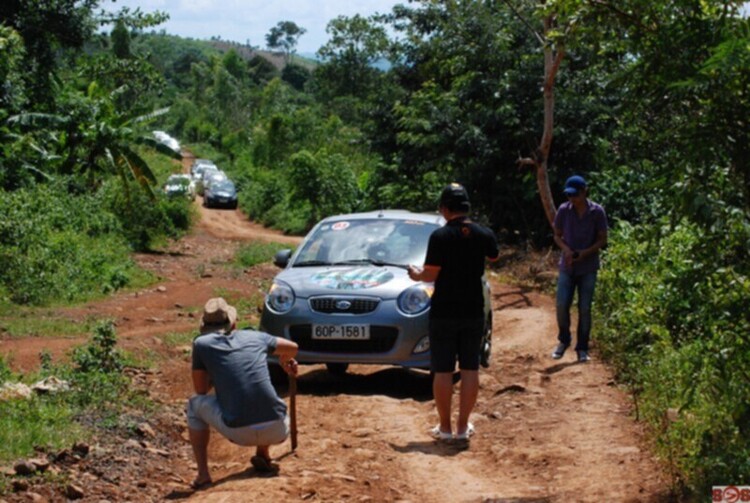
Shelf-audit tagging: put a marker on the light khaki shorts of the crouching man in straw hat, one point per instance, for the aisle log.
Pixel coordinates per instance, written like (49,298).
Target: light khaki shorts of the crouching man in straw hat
(204,411)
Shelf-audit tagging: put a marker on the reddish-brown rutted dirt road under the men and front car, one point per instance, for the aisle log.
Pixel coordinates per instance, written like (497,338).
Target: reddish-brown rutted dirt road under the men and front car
(547,430)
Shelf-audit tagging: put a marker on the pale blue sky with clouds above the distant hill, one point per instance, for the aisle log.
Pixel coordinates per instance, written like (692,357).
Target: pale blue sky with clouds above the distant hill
(240,20)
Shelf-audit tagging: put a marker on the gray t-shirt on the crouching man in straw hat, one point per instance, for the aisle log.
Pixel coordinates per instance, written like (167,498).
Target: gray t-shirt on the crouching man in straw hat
(238,368)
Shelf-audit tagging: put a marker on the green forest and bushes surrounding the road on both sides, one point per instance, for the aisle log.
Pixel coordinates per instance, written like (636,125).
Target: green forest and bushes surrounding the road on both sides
(651,104)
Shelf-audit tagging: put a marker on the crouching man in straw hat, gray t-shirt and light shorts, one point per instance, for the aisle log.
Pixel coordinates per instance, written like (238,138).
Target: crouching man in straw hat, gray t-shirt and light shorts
(245,409)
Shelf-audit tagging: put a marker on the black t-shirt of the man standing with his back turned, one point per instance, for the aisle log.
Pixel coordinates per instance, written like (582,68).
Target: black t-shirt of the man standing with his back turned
(459,249)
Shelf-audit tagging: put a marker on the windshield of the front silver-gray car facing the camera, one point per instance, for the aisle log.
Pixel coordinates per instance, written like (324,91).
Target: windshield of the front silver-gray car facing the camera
(375,241)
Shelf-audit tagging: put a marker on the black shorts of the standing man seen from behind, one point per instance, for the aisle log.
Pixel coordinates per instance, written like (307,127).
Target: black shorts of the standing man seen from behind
(455,338)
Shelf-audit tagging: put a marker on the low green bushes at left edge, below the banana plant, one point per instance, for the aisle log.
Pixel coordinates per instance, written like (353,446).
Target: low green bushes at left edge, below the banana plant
(58,247)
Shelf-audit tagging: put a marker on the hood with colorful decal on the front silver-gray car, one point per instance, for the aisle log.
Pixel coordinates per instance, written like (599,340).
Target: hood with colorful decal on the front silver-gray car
(384,282)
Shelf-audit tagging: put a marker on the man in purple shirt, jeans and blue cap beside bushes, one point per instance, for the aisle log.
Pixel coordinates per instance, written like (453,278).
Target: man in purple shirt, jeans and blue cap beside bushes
(580,232)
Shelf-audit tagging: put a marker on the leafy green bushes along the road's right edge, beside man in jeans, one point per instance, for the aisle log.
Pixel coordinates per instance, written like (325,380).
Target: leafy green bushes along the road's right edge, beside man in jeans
(677,327)
